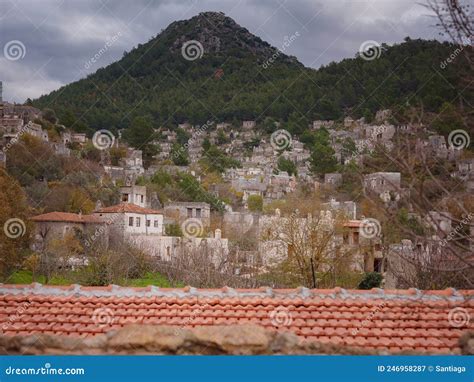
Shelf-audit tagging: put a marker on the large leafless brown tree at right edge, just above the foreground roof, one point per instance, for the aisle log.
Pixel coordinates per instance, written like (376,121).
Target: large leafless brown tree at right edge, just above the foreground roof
(437,256)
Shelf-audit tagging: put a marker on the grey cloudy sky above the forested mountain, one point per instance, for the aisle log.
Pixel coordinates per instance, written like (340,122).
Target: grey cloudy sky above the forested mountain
(46,44)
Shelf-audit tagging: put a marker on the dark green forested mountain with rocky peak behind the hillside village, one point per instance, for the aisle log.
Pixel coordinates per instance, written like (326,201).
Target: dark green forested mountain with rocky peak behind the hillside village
(235,79)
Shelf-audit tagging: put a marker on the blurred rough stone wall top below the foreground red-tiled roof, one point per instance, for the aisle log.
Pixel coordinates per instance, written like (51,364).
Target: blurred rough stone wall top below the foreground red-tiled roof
(207,340)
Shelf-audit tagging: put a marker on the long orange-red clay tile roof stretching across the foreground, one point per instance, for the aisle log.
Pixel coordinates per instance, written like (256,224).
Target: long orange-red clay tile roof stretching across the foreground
(395,321)
